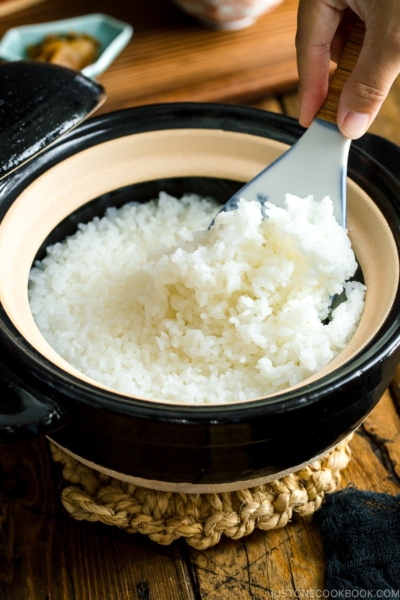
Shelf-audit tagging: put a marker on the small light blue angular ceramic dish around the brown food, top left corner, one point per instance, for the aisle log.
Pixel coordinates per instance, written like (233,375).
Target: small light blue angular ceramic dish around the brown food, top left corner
(112,34)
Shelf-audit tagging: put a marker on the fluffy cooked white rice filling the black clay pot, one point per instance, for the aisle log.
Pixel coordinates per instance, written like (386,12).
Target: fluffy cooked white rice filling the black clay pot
(208,317)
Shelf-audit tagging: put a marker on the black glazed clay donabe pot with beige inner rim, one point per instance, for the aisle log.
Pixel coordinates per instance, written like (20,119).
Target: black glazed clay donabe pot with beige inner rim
(211,150)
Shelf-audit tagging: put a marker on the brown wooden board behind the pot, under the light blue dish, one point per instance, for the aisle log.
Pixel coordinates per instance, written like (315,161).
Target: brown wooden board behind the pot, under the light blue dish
(172,57)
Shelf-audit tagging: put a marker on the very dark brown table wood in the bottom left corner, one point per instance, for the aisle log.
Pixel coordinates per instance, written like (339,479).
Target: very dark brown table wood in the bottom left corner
(46,554)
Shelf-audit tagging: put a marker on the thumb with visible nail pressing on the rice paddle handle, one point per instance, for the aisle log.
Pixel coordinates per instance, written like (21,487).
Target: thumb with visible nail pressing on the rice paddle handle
(368,85)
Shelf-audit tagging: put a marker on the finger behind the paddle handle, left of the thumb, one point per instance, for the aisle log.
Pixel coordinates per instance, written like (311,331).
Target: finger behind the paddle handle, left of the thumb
(317,23)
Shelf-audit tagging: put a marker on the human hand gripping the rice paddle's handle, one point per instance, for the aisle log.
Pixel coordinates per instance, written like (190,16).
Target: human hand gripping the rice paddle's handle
(323,26)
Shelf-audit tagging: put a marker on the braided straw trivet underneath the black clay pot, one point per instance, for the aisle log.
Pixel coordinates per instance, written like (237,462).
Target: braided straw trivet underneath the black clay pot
(200,518)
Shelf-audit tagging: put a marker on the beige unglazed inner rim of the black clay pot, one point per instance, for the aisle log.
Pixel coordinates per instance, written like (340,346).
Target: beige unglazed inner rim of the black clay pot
(155,155)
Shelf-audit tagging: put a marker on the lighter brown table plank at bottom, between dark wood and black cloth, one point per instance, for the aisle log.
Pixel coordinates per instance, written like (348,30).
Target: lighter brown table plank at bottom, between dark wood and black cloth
(262,565)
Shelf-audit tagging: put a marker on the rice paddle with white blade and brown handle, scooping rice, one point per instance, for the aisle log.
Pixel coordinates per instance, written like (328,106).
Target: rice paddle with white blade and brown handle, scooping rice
(317,163)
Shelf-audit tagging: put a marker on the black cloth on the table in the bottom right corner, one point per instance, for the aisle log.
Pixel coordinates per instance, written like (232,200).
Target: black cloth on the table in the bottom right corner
(361,538)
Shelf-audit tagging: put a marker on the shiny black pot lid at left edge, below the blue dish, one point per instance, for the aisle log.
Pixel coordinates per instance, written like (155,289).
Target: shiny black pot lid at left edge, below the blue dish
(39,102)
